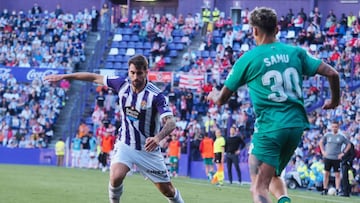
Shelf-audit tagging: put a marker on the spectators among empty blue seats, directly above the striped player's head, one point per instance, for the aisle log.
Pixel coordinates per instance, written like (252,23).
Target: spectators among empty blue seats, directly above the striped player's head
(158,37)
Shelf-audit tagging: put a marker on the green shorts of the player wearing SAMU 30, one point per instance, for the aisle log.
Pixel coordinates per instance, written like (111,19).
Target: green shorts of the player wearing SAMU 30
(277,147)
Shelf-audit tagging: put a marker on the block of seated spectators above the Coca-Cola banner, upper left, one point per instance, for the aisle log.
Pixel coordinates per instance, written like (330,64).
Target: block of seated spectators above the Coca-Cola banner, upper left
(40,38)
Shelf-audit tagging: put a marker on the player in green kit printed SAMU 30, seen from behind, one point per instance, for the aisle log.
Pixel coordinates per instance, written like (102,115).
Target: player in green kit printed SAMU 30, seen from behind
(273,73)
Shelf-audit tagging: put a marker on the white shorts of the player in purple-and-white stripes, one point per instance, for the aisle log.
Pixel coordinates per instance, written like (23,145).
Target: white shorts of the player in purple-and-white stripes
(150,164)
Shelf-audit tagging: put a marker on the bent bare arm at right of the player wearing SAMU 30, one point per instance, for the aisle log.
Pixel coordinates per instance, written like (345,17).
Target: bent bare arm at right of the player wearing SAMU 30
(334,82)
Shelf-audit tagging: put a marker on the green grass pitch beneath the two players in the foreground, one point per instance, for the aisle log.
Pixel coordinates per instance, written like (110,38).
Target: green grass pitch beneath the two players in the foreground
(42,184)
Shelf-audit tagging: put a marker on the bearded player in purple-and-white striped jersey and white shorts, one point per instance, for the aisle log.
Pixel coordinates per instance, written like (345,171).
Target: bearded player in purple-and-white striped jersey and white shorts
(143,107)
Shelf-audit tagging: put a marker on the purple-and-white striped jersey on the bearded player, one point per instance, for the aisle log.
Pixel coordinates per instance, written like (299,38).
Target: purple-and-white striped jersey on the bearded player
(141,113)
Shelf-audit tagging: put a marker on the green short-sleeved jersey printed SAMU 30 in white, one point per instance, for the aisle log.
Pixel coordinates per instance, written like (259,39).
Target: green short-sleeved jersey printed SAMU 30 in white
(273,73)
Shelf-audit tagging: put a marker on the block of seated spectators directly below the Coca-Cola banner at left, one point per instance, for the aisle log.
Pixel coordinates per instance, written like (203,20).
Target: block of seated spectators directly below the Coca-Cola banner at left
(28,112)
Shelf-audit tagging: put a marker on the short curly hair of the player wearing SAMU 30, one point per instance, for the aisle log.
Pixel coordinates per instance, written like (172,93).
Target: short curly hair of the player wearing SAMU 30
(264,18)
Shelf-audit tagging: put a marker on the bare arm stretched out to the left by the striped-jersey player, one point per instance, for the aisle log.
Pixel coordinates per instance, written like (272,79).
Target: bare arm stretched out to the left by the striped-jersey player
(83,76)
